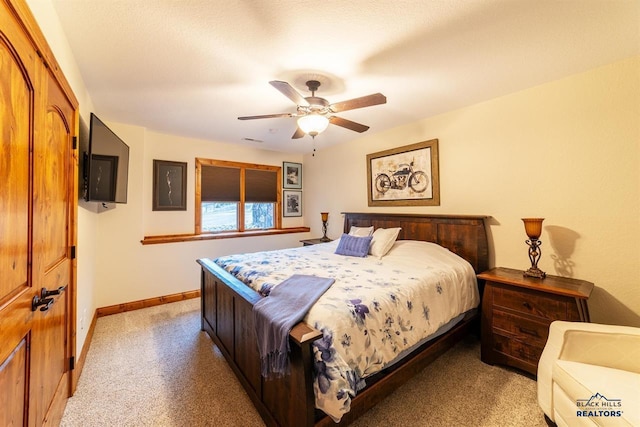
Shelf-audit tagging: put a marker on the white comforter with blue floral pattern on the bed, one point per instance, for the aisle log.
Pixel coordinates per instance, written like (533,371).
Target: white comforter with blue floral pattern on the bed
(376,309)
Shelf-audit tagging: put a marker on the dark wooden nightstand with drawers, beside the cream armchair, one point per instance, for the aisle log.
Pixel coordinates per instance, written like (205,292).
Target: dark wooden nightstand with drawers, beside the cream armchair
(517,312)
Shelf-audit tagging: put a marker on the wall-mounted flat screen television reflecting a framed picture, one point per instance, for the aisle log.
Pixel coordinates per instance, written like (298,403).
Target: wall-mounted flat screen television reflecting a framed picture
(106,165)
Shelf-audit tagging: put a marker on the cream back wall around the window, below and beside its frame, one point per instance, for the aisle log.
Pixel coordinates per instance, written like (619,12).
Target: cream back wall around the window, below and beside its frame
(128,271)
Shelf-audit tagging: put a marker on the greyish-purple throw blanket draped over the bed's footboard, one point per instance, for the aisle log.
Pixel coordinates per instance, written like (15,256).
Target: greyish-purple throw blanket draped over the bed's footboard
(275,315)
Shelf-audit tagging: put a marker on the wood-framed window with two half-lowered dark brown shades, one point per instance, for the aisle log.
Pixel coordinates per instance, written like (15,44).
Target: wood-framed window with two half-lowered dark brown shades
(234,196)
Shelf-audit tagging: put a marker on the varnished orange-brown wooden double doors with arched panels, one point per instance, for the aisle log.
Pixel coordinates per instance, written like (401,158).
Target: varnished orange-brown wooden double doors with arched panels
(37,234)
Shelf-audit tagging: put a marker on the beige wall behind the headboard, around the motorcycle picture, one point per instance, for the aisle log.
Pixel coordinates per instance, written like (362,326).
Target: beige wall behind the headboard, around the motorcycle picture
(567,151)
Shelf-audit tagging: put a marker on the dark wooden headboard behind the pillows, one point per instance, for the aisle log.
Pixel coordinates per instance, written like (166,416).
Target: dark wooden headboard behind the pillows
(464,235)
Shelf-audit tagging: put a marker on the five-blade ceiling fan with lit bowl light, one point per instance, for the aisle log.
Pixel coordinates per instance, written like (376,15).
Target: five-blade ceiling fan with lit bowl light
(314,113)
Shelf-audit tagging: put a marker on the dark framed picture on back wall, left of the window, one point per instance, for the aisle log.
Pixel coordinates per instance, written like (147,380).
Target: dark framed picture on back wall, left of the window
(169,186)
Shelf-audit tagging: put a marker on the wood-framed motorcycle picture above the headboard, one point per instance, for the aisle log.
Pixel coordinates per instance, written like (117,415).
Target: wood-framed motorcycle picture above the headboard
(404,176)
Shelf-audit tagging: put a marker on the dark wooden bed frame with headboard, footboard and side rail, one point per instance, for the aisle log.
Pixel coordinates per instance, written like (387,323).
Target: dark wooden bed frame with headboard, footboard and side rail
(227,305)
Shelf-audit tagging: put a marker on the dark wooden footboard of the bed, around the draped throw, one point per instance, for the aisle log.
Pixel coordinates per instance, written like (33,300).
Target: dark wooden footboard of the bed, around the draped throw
(227,317)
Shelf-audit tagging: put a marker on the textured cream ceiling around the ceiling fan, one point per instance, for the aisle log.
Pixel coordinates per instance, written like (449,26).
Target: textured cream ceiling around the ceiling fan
(191,67)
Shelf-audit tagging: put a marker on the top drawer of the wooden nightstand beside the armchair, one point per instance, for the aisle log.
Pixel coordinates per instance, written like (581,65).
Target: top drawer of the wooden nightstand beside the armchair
(538,305)
